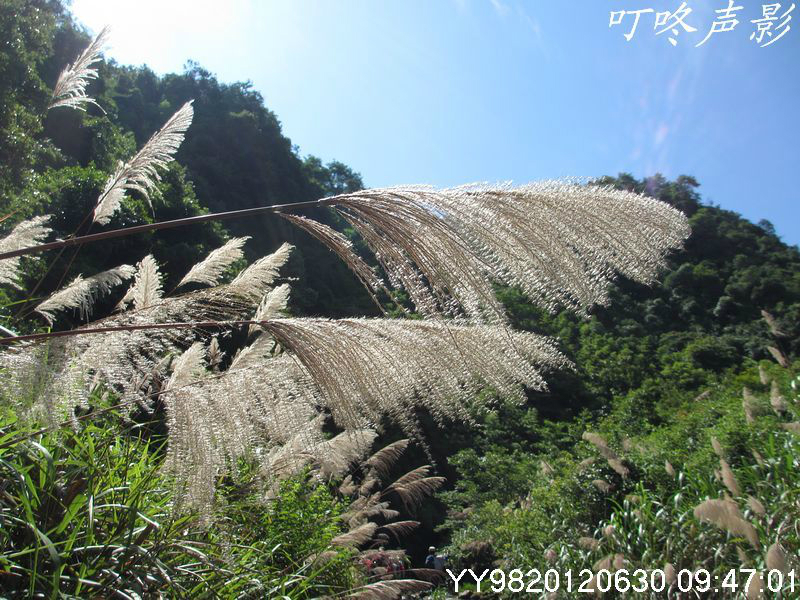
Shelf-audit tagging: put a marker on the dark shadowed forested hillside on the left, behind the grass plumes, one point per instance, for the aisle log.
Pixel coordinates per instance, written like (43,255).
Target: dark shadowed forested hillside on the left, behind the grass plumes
(235,156)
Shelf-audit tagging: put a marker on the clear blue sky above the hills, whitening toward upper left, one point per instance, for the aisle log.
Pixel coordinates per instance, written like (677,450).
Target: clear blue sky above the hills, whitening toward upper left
(455,91)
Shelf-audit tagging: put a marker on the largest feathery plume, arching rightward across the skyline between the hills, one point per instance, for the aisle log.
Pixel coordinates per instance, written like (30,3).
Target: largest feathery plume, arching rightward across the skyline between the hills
(560,242)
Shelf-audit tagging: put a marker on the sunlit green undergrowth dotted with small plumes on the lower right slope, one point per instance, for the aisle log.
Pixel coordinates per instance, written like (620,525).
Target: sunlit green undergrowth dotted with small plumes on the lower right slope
(718,488)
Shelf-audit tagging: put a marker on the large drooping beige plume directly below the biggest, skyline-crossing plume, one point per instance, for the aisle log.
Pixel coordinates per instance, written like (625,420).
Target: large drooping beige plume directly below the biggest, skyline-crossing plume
(370,368)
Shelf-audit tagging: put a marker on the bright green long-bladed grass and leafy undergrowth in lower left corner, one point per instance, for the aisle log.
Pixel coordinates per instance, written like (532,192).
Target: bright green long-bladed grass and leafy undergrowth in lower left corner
(88,512)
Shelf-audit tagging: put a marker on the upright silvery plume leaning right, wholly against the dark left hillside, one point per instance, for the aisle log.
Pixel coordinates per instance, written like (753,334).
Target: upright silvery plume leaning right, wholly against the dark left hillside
(141,173)
